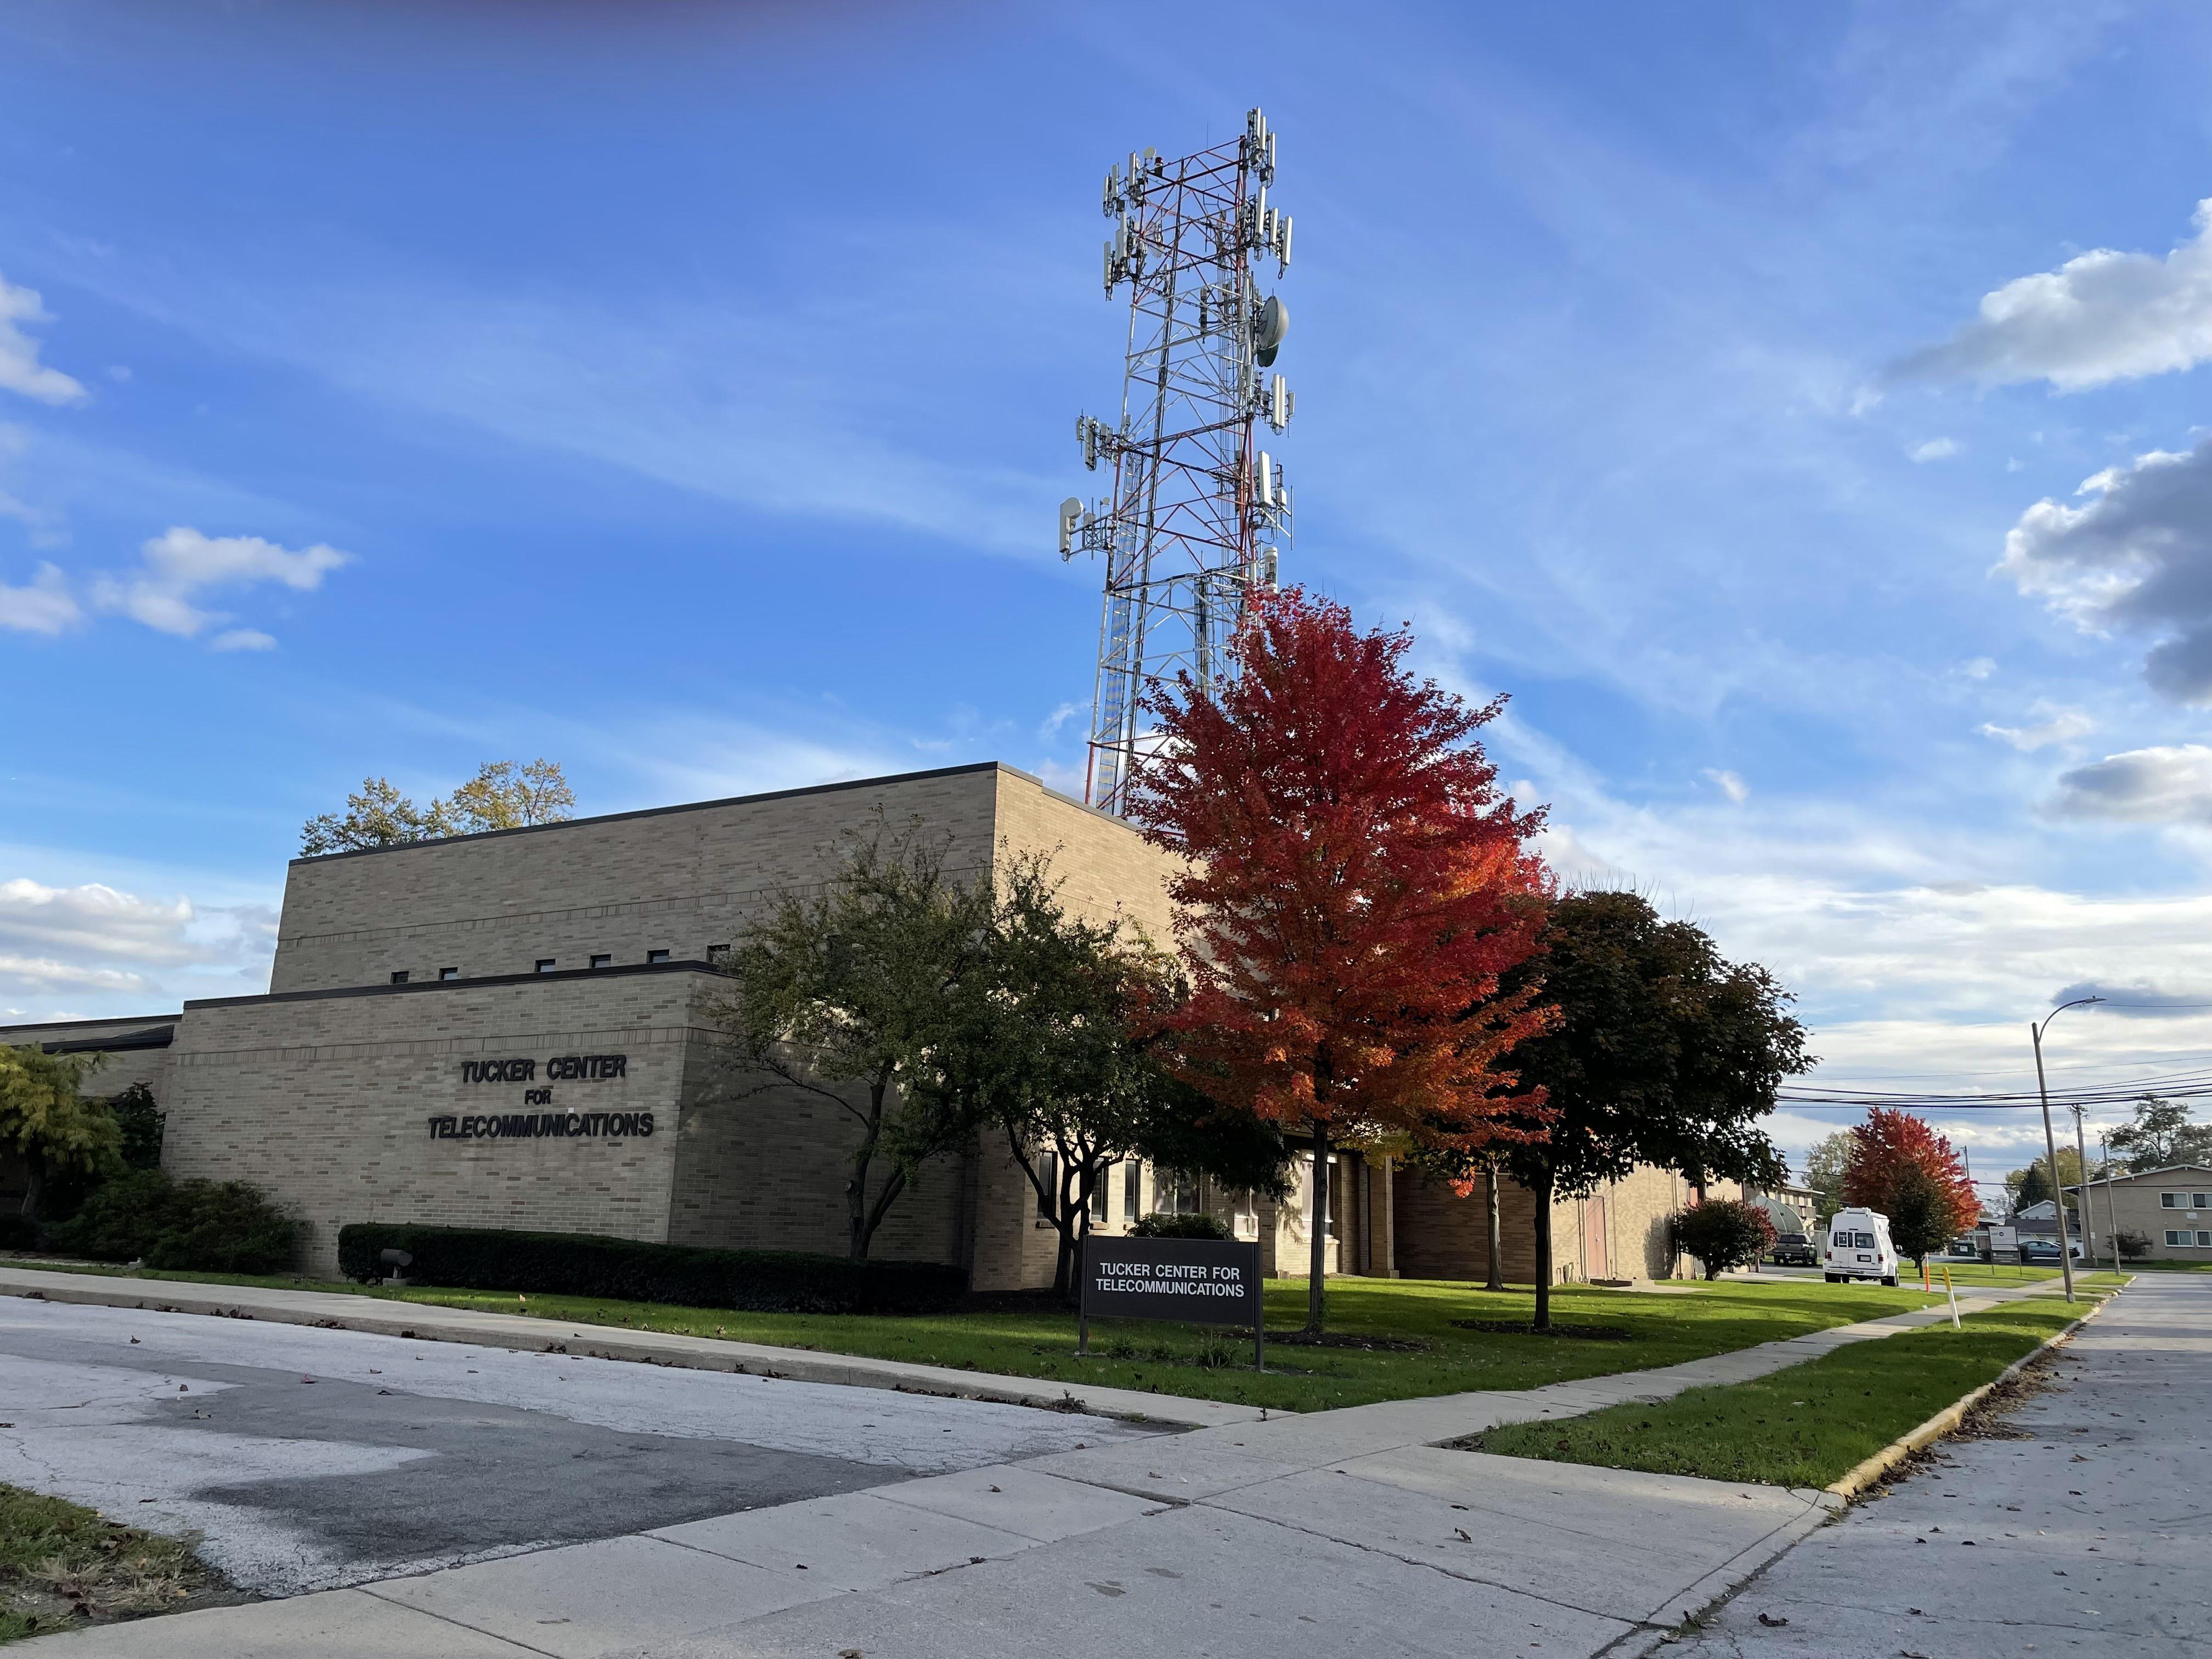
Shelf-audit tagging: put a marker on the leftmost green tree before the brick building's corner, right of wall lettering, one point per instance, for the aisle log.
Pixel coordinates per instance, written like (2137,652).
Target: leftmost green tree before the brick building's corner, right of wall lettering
(848,997)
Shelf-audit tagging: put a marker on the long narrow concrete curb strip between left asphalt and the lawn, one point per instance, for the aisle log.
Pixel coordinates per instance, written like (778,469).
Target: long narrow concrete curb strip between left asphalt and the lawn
(532,1335)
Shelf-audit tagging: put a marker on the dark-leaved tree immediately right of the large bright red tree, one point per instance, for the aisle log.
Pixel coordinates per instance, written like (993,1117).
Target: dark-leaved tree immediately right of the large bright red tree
(1665,1054)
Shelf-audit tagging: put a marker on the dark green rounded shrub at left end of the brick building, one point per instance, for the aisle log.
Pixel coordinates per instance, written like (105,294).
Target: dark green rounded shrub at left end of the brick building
(198,1227)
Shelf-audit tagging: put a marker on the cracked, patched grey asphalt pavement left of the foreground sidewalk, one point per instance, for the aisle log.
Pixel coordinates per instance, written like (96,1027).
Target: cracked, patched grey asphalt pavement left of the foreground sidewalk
(313,1459)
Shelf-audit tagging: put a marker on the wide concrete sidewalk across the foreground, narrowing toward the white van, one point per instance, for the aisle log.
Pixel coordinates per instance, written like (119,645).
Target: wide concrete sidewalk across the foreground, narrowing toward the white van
(1218,1543)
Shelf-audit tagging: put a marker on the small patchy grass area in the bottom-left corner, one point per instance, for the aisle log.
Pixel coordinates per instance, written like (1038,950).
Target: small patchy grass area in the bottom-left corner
(65,1567)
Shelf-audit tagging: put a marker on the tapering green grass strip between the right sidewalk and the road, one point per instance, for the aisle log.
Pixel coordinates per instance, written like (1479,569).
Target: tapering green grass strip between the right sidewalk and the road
(1806,1426)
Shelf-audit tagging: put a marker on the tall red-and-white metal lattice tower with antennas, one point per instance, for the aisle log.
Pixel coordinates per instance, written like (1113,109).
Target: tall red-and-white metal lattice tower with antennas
(1198,512)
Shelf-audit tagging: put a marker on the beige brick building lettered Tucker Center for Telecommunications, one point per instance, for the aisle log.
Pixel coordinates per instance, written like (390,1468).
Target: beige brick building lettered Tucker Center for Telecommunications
(519,1030)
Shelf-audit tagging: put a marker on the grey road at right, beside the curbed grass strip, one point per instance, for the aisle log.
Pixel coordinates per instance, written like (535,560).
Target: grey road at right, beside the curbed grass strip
(2089,1534)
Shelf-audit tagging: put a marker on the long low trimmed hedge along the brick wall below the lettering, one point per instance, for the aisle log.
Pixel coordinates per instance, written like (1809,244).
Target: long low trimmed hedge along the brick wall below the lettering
(581,1264)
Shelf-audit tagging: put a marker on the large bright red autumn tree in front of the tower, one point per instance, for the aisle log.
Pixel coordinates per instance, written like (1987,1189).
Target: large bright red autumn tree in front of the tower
(1355,888)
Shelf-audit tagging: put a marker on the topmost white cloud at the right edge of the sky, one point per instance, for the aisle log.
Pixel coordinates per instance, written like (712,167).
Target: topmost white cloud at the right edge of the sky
(2100,317)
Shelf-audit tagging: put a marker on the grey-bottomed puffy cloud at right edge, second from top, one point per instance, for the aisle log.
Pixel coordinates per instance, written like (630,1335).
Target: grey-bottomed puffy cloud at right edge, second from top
(2138,554)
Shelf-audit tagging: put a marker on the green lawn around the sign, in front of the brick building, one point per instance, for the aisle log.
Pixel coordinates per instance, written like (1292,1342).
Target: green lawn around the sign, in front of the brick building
(1213,1364)
